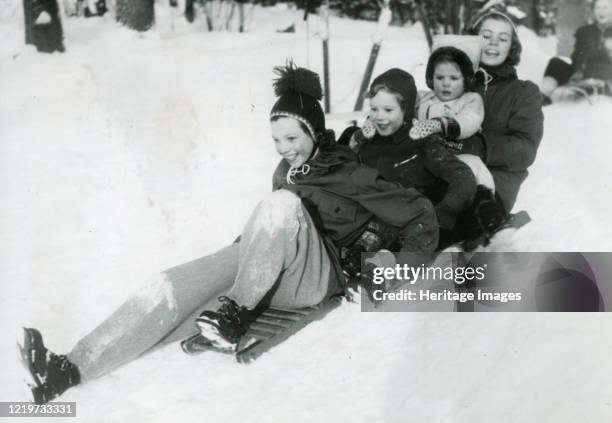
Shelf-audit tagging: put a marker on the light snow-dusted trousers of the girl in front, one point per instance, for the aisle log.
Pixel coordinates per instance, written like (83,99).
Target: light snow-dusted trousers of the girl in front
(281,259)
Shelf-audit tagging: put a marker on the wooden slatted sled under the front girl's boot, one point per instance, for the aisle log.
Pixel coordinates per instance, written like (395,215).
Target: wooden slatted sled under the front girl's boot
(267,328)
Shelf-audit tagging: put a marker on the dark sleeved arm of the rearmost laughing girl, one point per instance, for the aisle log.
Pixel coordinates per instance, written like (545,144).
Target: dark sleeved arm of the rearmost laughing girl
(516,149)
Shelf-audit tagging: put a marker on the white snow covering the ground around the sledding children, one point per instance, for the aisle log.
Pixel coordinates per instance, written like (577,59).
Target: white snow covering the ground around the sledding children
(132,153)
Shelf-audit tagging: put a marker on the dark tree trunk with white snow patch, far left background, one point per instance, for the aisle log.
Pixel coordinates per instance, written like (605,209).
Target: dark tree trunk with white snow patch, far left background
(43,26)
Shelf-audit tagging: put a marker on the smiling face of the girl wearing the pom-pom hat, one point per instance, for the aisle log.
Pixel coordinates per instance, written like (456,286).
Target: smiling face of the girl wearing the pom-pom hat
(290,141)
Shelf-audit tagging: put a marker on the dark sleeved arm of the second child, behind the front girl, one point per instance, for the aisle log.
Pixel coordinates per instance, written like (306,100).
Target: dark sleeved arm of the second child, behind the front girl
(461,183)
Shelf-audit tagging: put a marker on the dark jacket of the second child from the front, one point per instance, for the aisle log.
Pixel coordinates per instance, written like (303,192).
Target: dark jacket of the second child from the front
(426,165)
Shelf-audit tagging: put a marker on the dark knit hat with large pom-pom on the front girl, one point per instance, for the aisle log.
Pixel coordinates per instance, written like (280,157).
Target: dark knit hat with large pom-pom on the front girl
(299,91)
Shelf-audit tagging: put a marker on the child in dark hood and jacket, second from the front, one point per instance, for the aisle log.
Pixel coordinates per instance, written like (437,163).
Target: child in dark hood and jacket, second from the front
(425,164)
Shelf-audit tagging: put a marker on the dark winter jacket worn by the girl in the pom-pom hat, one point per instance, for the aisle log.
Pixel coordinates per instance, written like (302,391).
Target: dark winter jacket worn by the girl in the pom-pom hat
(342,196)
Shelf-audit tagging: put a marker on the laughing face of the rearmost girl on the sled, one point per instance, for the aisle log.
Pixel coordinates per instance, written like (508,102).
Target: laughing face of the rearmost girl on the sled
(497,40)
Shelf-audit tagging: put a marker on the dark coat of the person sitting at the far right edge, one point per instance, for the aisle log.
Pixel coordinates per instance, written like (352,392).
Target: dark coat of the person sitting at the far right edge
(590,57)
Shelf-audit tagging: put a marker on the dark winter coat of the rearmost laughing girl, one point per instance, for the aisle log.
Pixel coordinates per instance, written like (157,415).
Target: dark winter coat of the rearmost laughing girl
(511,131)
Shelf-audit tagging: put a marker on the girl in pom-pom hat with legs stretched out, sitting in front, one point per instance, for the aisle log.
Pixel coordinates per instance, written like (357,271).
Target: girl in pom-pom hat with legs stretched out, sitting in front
(288,251)
